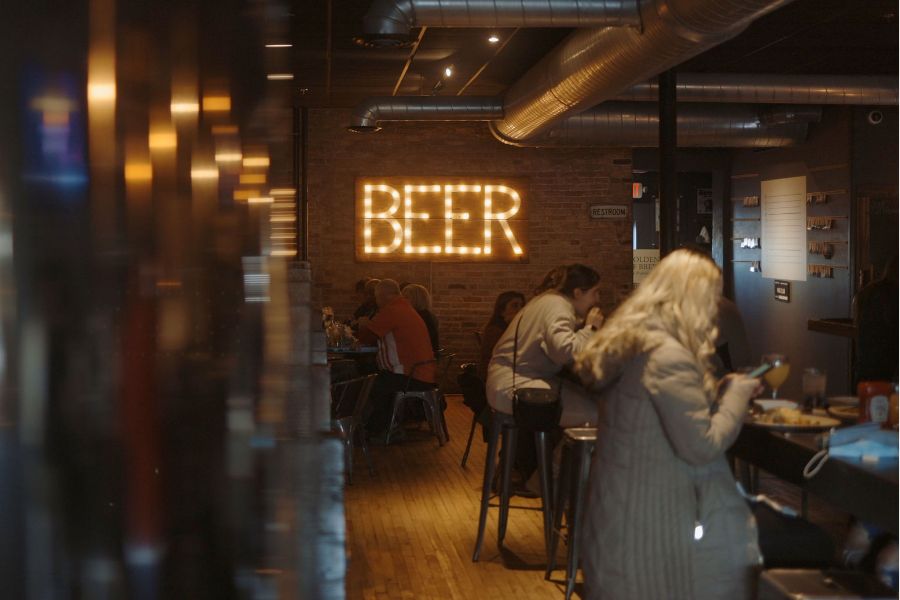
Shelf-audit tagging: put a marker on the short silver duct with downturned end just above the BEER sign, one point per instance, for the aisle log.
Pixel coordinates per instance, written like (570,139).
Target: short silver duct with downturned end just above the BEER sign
(371,111)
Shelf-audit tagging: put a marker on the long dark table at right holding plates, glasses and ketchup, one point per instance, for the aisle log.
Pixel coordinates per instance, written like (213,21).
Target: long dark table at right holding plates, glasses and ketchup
(865,489)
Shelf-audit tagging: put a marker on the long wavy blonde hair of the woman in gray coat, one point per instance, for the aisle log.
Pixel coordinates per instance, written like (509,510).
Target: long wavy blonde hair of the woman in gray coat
(679,298)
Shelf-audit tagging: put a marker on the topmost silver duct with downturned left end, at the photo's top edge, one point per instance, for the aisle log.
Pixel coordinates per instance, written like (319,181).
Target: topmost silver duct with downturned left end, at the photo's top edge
(388,22)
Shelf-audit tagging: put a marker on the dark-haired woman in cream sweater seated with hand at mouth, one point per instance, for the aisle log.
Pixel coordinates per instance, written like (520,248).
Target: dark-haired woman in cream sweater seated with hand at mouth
(550,330)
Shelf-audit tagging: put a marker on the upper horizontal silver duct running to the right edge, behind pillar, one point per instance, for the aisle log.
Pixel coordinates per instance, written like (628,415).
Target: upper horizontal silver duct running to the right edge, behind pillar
(866,90)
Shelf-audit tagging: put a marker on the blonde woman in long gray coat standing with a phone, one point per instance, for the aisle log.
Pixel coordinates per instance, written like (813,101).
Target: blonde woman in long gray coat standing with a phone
(664,518)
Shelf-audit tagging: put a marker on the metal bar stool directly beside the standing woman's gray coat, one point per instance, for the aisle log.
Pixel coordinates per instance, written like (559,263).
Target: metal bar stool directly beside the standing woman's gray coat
(578,445)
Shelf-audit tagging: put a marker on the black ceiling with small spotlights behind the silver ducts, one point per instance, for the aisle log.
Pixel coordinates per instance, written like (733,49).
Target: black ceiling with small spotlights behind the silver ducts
(807,36)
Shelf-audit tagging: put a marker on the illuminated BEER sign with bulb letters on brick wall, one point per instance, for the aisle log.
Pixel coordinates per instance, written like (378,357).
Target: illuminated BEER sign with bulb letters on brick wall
(440,220)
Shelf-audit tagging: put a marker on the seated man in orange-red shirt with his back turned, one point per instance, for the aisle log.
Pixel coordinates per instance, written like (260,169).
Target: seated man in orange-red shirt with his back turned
(403,341)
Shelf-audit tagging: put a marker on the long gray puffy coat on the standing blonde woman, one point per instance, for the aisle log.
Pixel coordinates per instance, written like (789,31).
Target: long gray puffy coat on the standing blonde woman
(659,474)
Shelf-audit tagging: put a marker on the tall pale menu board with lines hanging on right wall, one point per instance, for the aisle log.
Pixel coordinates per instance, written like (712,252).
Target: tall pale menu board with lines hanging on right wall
(783,228)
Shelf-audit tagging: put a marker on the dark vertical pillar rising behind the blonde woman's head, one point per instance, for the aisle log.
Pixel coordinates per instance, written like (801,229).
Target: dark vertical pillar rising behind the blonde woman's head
(668,192)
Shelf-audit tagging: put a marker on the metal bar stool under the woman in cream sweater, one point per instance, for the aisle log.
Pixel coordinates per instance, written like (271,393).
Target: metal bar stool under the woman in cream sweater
(504,425)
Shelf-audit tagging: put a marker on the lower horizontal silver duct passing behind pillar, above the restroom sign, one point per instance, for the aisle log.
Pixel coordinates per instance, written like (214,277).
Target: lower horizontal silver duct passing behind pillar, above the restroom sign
(636,125)
